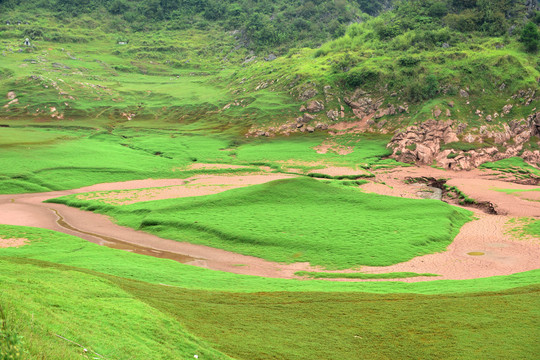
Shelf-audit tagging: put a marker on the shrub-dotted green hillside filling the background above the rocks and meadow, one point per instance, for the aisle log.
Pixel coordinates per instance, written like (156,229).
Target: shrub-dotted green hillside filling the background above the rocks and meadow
(179,63)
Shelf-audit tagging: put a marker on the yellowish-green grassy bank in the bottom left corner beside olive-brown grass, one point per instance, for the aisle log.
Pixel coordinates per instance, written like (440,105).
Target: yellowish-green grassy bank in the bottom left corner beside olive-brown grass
(44,301)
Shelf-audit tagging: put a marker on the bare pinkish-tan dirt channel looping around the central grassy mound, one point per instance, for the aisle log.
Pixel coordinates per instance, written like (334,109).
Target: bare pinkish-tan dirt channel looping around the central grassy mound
(481,249)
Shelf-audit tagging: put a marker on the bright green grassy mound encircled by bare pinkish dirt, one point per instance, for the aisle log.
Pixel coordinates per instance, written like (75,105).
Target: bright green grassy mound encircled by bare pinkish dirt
(298,220)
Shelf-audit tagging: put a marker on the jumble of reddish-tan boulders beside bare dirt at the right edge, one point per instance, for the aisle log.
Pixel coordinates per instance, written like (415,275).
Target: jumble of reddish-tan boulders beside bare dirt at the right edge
(422,143)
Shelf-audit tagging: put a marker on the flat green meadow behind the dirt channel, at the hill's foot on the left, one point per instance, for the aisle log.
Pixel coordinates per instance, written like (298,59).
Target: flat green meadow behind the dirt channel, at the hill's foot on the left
(49,158)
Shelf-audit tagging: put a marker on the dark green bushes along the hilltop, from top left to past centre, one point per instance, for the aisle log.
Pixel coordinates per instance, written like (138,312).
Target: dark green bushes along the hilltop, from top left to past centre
(262,24)
